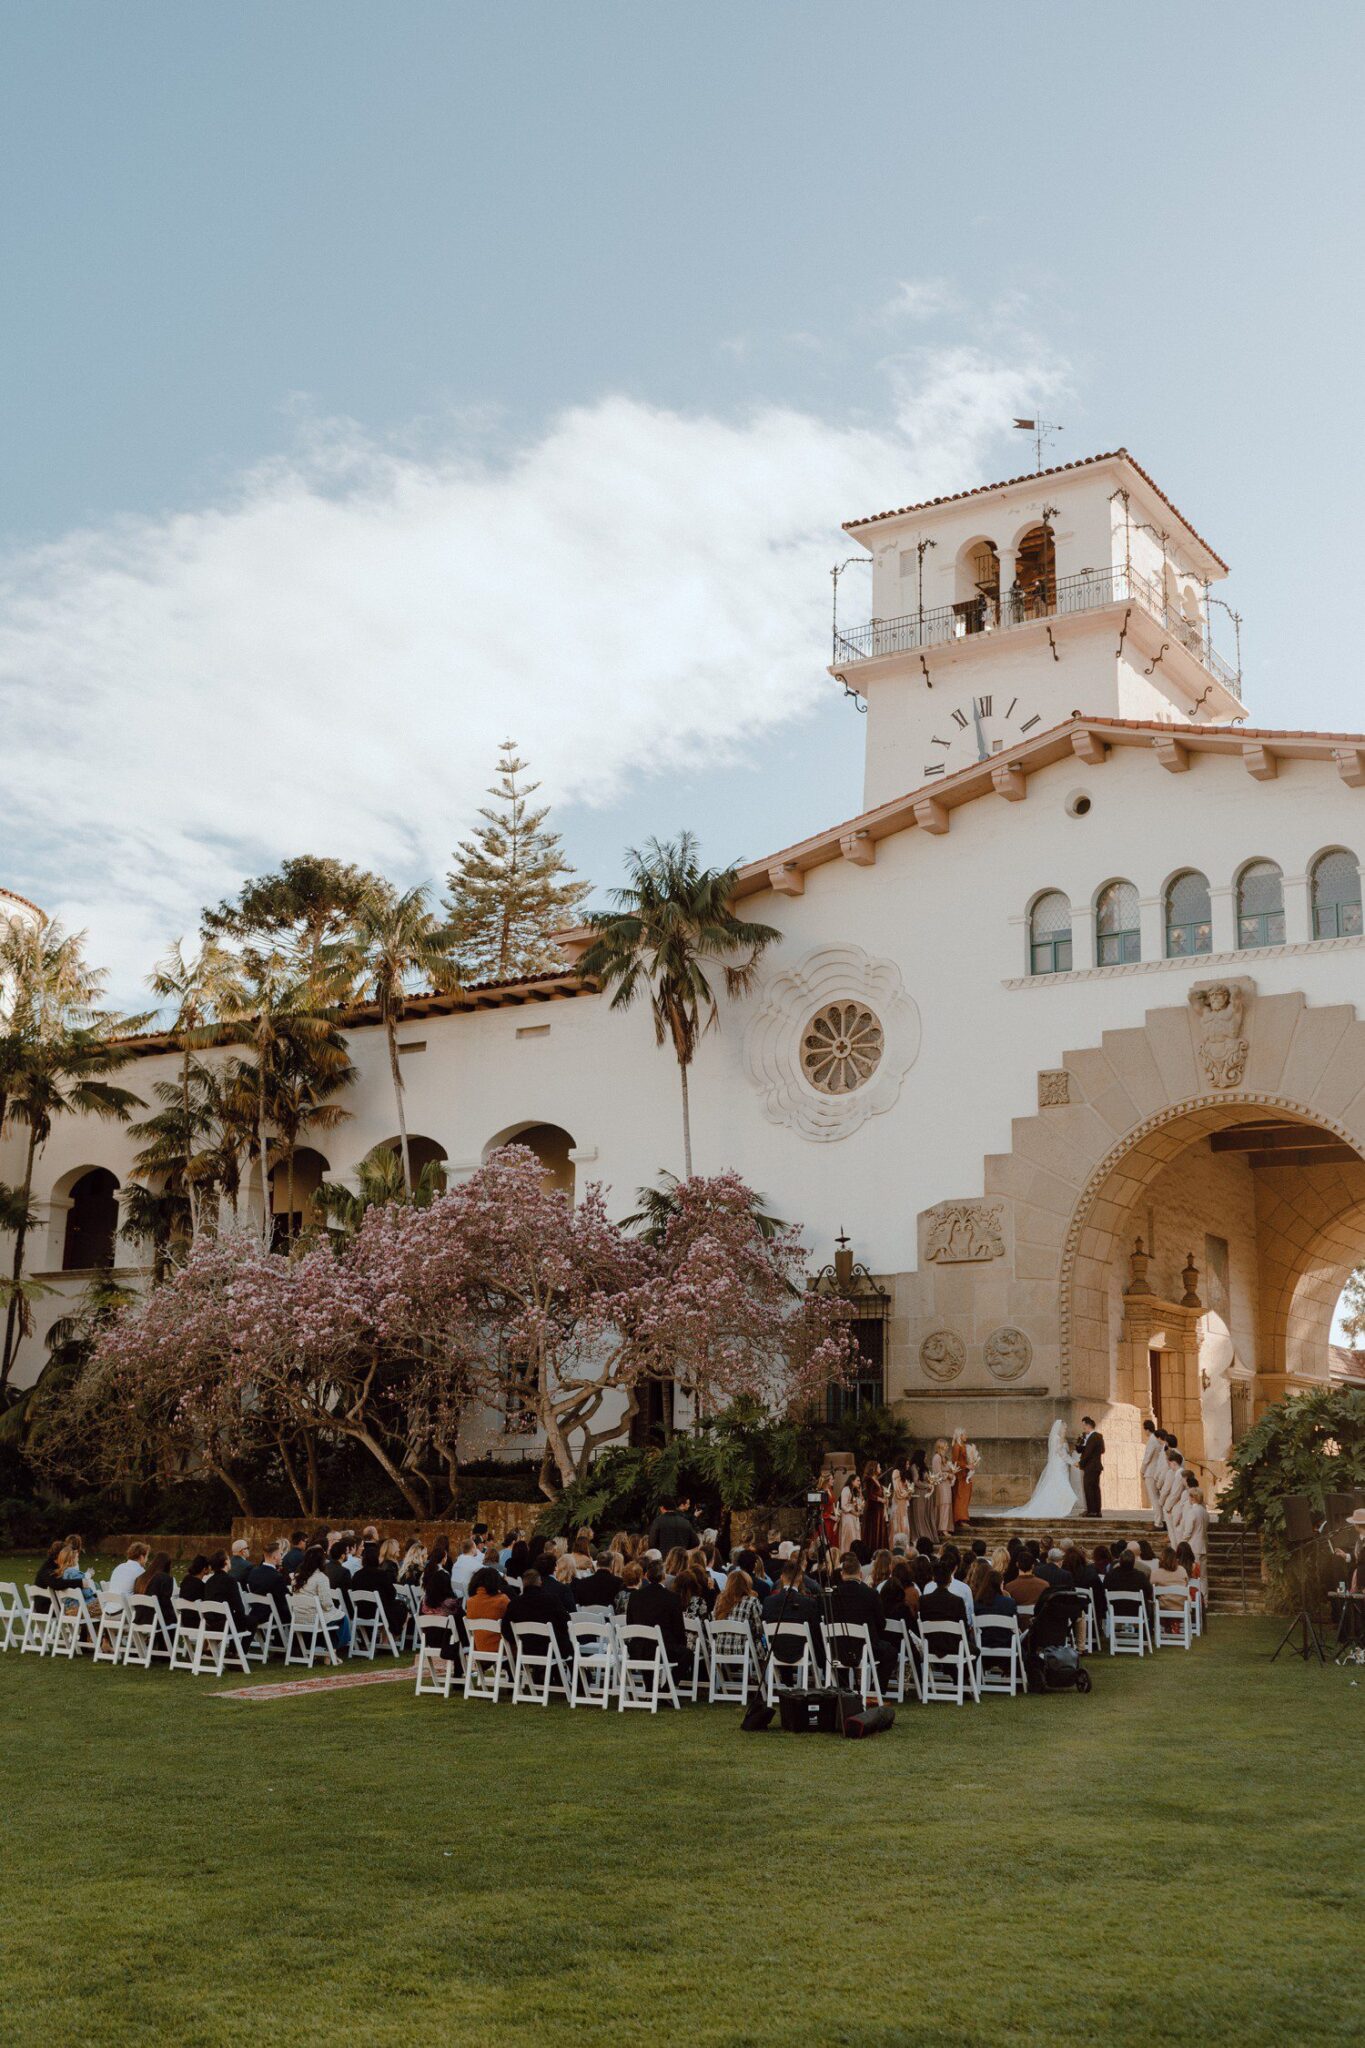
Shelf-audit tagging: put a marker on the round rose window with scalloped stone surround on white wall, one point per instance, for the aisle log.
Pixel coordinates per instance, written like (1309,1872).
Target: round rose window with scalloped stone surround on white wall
(830,1041)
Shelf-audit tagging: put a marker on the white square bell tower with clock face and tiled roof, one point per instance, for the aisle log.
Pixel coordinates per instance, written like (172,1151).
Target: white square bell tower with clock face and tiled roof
(1002,611)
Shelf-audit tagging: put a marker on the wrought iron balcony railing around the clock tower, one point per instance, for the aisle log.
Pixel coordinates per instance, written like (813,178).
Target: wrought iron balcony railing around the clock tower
(1090,591)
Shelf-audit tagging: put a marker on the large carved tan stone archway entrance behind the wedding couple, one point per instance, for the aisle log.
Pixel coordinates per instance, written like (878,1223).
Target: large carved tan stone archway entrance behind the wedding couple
(1239,1123)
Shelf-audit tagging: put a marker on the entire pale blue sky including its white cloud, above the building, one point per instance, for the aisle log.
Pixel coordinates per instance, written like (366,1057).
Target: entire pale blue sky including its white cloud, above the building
(382,380)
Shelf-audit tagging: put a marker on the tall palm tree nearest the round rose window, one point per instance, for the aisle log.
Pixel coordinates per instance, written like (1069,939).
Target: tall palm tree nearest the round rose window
(672,925)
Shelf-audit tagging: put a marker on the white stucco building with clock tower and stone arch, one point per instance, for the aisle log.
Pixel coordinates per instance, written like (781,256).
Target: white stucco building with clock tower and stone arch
(1084,972)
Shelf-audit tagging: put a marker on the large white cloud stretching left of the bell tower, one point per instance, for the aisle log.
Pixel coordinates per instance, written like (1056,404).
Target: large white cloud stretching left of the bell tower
(328,658)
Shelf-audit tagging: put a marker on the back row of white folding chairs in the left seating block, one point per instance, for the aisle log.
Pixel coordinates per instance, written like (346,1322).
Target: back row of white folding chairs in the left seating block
(202,1637)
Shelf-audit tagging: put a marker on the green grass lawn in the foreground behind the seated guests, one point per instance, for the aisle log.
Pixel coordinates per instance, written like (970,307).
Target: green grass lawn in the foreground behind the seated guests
(1176,1859)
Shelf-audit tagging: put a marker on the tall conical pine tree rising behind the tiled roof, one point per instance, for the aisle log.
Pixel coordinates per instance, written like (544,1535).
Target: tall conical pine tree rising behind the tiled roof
(511,888)
